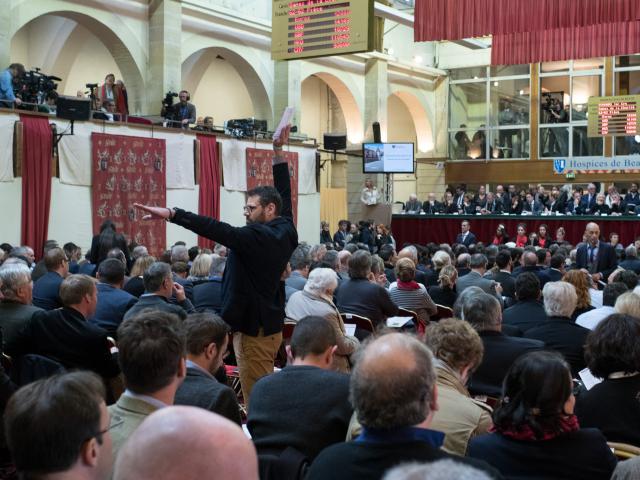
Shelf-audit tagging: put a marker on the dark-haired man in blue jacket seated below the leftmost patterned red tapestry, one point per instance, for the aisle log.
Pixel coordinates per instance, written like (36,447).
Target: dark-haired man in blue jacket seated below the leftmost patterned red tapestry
(113,302)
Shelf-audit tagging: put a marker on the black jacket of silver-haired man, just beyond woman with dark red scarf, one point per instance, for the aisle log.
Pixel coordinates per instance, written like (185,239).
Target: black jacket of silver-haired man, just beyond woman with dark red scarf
(564,336)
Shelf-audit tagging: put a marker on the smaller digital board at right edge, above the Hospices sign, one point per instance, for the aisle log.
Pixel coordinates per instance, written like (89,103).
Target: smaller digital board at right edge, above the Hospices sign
(613,116)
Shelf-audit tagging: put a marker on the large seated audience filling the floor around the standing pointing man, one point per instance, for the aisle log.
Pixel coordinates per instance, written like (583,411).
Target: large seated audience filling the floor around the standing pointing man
(491,385)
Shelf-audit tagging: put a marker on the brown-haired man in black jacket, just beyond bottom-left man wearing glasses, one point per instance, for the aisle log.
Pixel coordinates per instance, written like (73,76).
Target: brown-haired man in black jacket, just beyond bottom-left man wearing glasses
(65,335)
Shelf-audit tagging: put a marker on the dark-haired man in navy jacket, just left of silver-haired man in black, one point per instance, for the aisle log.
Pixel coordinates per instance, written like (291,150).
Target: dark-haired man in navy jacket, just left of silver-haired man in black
(528,312)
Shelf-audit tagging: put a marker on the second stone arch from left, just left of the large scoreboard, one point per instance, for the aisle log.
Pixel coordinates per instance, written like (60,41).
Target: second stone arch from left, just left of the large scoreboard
(197,63)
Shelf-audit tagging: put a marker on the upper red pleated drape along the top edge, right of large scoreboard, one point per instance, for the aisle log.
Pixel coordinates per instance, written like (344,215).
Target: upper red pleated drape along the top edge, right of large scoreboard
(457,19)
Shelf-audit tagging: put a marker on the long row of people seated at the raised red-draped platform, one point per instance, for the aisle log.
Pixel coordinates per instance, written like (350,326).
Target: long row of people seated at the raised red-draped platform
(559,200)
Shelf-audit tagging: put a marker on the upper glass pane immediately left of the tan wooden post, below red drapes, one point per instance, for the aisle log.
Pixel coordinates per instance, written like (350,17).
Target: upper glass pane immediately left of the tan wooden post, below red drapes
(509,102)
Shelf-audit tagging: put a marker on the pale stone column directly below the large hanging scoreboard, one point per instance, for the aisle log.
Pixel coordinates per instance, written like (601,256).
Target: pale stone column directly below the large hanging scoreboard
(287,87)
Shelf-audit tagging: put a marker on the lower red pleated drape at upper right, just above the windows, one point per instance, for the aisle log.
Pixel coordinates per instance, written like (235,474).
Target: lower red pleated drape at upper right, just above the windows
(602,40)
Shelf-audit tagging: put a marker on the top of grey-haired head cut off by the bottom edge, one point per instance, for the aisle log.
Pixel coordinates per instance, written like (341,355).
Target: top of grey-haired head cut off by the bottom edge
(440,470)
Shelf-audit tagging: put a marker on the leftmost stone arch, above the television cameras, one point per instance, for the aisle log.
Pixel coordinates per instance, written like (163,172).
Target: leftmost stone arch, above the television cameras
(114,36)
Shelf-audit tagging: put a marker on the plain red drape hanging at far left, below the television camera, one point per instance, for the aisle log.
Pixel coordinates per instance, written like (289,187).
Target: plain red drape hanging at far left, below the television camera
(36,181)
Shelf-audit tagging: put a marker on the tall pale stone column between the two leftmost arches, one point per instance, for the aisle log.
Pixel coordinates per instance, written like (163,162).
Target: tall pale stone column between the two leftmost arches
(165,51)
